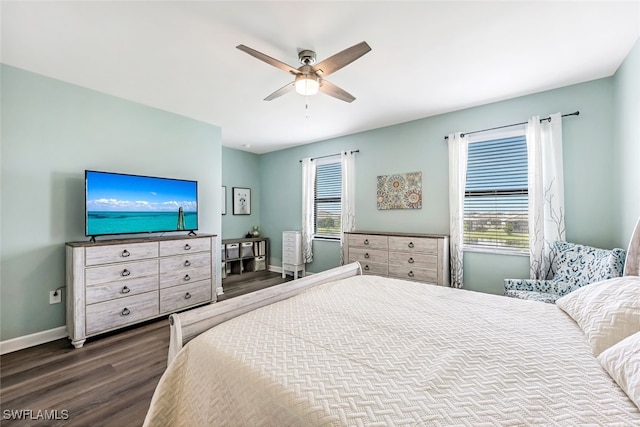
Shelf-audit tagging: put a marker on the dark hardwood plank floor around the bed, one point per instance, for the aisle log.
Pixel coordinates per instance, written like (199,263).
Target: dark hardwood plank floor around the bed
(108,382)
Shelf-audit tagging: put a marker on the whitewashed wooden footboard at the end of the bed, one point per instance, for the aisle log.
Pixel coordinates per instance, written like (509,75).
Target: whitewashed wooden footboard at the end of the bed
(187,325)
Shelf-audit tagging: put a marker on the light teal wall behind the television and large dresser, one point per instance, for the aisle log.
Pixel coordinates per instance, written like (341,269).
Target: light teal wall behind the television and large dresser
(51,132)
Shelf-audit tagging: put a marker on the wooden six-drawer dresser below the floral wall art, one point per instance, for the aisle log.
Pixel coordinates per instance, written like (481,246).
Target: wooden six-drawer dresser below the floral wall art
(419,257)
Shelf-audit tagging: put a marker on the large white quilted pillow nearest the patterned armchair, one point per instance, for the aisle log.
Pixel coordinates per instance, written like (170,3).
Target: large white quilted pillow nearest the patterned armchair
(607,311)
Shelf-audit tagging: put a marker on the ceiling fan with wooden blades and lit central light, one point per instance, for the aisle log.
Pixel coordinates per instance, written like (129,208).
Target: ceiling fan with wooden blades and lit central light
(309,78)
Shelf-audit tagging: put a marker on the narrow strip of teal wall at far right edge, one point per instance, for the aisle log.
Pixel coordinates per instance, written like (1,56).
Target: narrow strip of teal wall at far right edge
(627,140)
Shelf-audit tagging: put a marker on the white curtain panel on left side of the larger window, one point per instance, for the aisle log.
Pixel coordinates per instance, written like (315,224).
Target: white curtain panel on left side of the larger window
(458,147)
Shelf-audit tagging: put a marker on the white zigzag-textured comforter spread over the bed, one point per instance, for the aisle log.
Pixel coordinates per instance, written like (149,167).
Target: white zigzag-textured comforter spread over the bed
(375,351)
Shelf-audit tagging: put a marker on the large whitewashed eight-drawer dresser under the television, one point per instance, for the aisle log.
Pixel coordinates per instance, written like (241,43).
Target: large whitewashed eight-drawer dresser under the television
(116,283)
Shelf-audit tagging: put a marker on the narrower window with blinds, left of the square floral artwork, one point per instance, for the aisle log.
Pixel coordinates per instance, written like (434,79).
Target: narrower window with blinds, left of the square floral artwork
(327,198)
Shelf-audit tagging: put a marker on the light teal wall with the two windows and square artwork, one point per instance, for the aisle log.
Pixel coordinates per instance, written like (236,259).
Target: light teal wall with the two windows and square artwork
(419,146)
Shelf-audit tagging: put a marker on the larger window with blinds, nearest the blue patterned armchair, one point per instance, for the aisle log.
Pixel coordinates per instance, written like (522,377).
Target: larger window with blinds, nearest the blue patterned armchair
(496,195)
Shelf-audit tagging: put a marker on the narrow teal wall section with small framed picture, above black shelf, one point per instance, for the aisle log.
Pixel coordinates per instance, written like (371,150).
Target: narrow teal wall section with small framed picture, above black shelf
(240,169)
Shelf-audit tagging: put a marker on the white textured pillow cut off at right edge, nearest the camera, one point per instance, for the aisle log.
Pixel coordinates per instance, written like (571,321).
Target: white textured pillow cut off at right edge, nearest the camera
(622,361)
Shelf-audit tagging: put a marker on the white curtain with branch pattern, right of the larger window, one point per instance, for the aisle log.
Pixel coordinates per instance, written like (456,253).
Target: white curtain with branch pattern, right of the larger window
(546,193)
